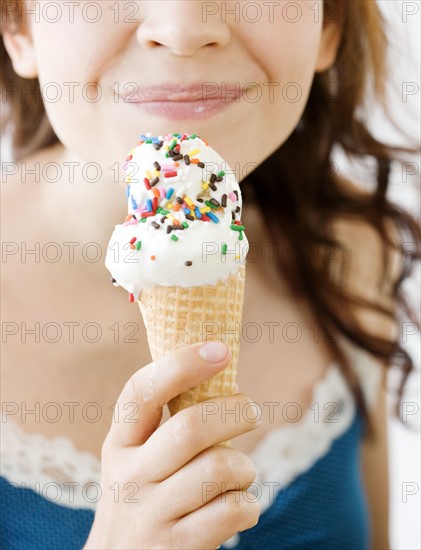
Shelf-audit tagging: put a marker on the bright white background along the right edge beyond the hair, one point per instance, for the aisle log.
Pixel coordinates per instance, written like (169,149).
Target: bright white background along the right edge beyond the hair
(404,443)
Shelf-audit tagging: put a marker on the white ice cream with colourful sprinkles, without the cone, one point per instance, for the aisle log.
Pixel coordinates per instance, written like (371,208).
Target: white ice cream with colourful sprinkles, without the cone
(184,217)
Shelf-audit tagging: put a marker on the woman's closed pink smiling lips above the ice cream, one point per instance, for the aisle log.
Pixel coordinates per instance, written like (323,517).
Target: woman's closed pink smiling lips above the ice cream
(174,102)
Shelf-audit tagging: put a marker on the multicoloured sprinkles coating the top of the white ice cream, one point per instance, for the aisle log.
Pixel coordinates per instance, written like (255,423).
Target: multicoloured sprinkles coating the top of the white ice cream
(170,208)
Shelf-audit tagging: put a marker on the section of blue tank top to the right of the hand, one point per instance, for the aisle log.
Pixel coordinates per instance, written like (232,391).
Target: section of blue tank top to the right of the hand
(323,508)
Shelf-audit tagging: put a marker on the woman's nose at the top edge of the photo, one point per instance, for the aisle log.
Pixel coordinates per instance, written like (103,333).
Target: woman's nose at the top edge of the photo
(180,27)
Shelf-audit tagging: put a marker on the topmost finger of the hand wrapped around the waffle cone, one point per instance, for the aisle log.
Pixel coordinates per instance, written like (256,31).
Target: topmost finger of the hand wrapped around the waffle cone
(152,386)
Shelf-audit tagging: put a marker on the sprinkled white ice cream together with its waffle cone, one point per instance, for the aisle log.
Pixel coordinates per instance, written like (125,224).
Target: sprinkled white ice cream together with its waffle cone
(181,251)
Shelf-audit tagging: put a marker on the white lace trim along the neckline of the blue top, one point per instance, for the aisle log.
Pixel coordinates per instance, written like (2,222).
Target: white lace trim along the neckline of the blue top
(54,468)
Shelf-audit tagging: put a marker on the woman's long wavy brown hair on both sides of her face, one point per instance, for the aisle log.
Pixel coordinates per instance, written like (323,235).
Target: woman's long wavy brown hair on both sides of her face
(313,194)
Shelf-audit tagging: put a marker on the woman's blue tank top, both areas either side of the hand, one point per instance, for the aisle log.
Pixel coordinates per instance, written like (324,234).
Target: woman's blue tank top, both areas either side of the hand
(323,508)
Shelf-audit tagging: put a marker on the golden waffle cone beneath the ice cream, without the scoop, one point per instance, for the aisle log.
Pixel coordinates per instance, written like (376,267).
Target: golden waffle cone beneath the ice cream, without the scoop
(175,316)
